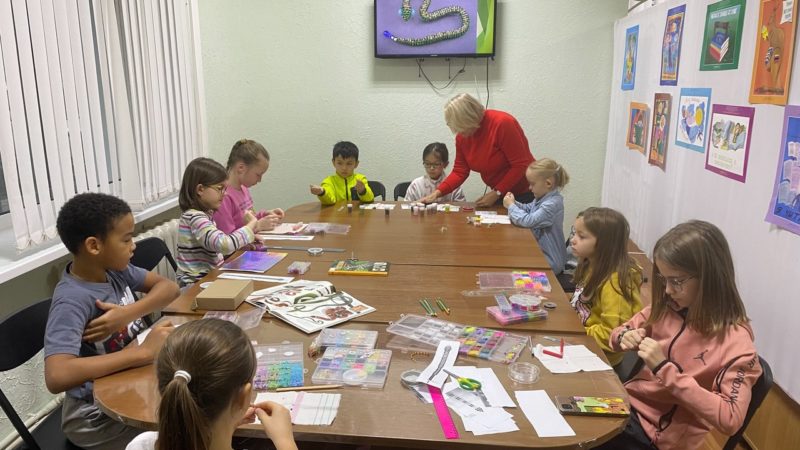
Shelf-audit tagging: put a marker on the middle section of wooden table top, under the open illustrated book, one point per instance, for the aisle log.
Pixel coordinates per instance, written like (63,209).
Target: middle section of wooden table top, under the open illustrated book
(400,291)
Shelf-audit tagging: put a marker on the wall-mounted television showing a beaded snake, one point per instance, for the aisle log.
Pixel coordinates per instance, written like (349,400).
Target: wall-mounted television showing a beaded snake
(427,28)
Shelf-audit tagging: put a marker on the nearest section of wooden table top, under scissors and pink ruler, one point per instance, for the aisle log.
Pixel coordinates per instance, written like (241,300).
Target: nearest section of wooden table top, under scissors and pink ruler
(391,416)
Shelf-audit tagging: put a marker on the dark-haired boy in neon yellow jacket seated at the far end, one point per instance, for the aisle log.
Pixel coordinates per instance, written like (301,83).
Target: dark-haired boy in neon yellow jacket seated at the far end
(338,187)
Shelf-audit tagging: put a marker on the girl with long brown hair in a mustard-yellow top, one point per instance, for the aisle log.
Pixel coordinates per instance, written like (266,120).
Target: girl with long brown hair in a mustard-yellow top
(607,279)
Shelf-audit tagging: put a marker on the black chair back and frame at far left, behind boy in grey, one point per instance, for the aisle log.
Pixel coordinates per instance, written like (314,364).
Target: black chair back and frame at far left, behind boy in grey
(22,337)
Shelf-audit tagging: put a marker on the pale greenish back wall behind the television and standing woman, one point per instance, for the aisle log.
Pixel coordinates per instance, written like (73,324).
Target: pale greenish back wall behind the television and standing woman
(299,76)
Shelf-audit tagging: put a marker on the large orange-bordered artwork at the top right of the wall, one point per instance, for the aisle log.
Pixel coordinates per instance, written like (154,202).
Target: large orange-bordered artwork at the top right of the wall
(772,65)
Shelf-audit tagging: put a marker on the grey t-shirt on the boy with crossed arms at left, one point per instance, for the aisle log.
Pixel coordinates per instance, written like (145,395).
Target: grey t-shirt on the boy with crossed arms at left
(74,307)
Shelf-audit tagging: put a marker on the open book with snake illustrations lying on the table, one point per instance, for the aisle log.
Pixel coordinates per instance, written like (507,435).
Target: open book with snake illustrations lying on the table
(310,305)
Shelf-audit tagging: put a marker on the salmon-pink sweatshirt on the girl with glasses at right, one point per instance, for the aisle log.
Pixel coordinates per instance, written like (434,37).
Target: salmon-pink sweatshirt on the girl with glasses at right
(705,382)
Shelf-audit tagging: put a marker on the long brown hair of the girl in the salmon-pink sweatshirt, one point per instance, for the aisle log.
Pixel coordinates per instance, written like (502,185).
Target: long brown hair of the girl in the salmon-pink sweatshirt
(701,250)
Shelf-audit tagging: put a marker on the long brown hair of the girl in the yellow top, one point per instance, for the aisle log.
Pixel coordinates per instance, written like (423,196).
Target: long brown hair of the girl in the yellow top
(611,247)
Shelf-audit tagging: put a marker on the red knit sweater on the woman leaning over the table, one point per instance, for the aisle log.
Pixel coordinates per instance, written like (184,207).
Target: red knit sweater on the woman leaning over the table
(498,150)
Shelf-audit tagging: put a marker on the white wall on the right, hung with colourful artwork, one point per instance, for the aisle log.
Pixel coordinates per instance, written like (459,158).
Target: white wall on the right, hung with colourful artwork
(654,201)
